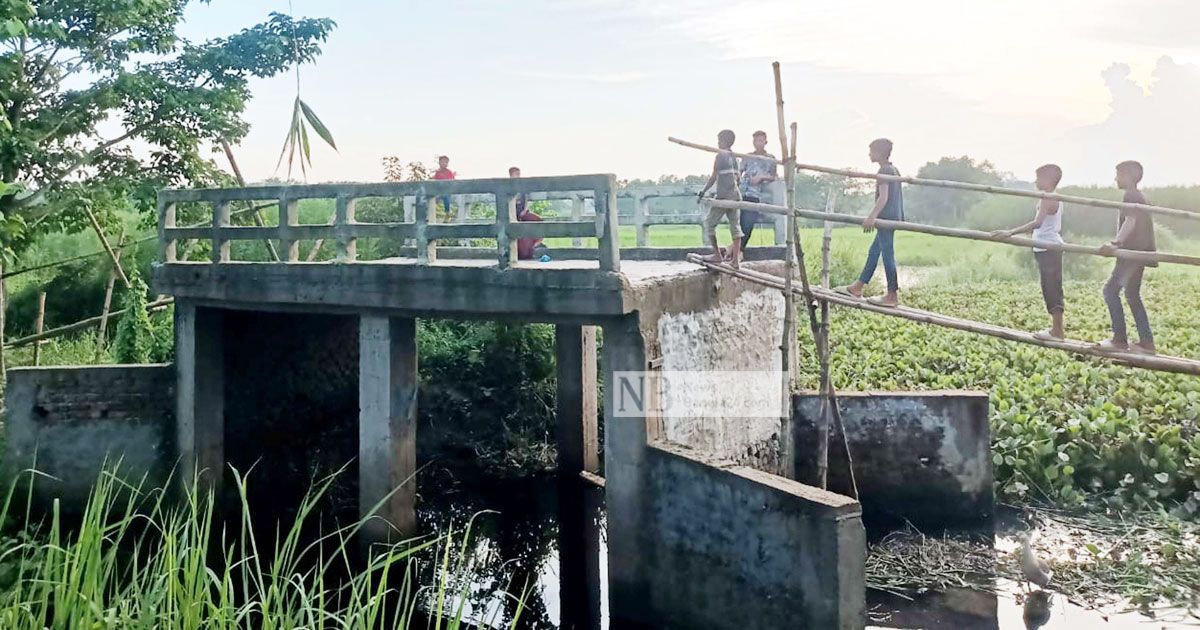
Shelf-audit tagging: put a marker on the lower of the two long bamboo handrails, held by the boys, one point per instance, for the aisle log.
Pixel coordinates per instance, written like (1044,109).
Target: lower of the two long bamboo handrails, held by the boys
(963,233)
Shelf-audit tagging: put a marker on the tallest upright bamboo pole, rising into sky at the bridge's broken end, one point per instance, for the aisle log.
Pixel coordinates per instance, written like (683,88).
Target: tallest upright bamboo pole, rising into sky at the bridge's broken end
(789,341)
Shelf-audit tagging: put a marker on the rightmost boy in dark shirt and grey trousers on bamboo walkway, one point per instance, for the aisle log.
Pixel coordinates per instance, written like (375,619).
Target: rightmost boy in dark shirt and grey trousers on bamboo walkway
(1136,231)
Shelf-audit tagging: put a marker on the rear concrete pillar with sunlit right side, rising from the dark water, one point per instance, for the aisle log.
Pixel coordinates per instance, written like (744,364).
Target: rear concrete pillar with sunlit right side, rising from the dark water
(579,448)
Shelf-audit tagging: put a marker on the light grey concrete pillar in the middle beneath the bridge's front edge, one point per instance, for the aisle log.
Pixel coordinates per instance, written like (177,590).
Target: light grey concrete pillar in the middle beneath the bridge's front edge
(388,427)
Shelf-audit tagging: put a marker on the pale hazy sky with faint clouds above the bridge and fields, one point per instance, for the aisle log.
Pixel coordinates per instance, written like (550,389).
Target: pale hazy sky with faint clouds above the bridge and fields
(565,87)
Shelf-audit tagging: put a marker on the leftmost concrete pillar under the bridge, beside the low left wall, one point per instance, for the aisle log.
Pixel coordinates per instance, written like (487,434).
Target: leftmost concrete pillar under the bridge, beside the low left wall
(200,394)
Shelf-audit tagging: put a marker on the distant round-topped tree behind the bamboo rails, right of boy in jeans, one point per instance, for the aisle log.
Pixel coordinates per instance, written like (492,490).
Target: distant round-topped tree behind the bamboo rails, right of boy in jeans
(946,206)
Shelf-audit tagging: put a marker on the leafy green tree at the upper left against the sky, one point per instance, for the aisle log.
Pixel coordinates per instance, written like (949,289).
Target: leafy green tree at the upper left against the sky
(73,70)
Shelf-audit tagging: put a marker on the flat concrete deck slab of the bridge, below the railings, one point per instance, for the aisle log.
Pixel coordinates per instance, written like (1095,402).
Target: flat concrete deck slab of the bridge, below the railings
(461,289)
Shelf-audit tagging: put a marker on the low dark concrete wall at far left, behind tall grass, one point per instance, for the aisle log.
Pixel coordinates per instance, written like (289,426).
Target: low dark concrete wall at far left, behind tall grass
(70,423)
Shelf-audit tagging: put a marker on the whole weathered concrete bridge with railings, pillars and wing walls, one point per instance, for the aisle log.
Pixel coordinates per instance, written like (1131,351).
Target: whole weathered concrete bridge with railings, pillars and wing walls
(704,517)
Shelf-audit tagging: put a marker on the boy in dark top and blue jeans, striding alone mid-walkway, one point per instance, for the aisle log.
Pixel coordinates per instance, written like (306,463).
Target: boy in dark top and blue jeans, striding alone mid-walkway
(890,207)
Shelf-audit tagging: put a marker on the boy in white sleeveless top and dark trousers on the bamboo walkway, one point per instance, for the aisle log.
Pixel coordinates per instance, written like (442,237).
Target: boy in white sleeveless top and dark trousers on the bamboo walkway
(1047,227)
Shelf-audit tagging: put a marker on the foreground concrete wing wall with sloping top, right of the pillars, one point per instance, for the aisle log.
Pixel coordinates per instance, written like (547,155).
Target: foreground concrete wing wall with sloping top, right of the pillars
(736,549)
